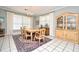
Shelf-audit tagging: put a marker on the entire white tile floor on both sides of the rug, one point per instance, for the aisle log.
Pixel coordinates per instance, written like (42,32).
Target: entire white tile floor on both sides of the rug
(7,45)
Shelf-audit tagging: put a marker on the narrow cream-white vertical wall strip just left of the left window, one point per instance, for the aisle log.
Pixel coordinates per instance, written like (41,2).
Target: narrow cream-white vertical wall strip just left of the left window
(9,23)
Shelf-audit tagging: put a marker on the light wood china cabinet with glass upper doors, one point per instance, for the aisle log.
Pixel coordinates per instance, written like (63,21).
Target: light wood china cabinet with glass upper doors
(68,27)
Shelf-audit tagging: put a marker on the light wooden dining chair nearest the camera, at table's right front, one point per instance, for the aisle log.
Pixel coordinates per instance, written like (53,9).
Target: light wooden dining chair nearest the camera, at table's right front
(40,35)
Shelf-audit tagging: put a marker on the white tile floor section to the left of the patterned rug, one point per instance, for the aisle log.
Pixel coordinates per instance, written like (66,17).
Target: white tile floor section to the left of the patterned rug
(7,44)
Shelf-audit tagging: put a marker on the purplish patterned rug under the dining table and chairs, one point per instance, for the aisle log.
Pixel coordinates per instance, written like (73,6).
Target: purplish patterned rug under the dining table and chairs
(23,45)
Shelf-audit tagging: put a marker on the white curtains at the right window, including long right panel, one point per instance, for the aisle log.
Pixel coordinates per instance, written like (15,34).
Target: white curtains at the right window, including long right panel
(48,19)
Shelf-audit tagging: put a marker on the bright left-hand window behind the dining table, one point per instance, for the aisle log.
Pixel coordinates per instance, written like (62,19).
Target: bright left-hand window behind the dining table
(20,20)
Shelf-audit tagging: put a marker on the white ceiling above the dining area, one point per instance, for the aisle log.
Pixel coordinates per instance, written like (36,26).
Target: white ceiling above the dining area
(32,10)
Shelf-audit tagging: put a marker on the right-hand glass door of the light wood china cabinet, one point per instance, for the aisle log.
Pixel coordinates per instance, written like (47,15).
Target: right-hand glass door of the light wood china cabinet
(71,22)
